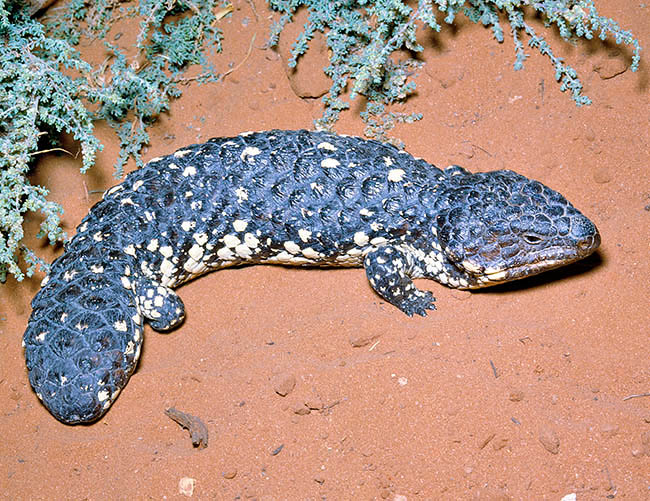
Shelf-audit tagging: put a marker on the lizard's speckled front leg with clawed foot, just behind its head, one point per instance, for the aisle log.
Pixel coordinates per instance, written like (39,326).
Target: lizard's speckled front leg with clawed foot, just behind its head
(387,269)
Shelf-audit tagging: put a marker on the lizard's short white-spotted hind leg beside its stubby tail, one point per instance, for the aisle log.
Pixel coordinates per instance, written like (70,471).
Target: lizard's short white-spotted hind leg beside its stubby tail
(160,305)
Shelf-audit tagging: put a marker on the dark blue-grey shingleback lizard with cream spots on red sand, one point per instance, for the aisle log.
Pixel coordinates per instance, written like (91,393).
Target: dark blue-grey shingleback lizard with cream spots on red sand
(288,197)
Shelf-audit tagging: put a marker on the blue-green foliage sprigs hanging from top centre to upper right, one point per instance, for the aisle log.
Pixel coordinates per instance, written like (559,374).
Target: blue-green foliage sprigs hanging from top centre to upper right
(363,35)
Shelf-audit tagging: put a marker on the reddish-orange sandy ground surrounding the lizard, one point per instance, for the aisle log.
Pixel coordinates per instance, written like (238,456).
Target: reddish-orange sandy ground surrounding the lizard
(513,393)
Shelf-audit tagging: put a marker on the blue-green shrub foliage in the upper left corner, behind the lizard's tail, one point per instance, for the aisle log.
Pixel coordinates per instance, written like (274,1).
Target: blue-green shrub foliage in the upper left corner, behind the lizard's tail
(47,88)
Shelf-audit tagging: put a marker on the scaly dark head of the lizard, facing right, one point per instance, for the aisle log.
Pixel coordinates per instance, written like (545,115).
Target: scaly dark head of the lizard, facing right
(500,226)
